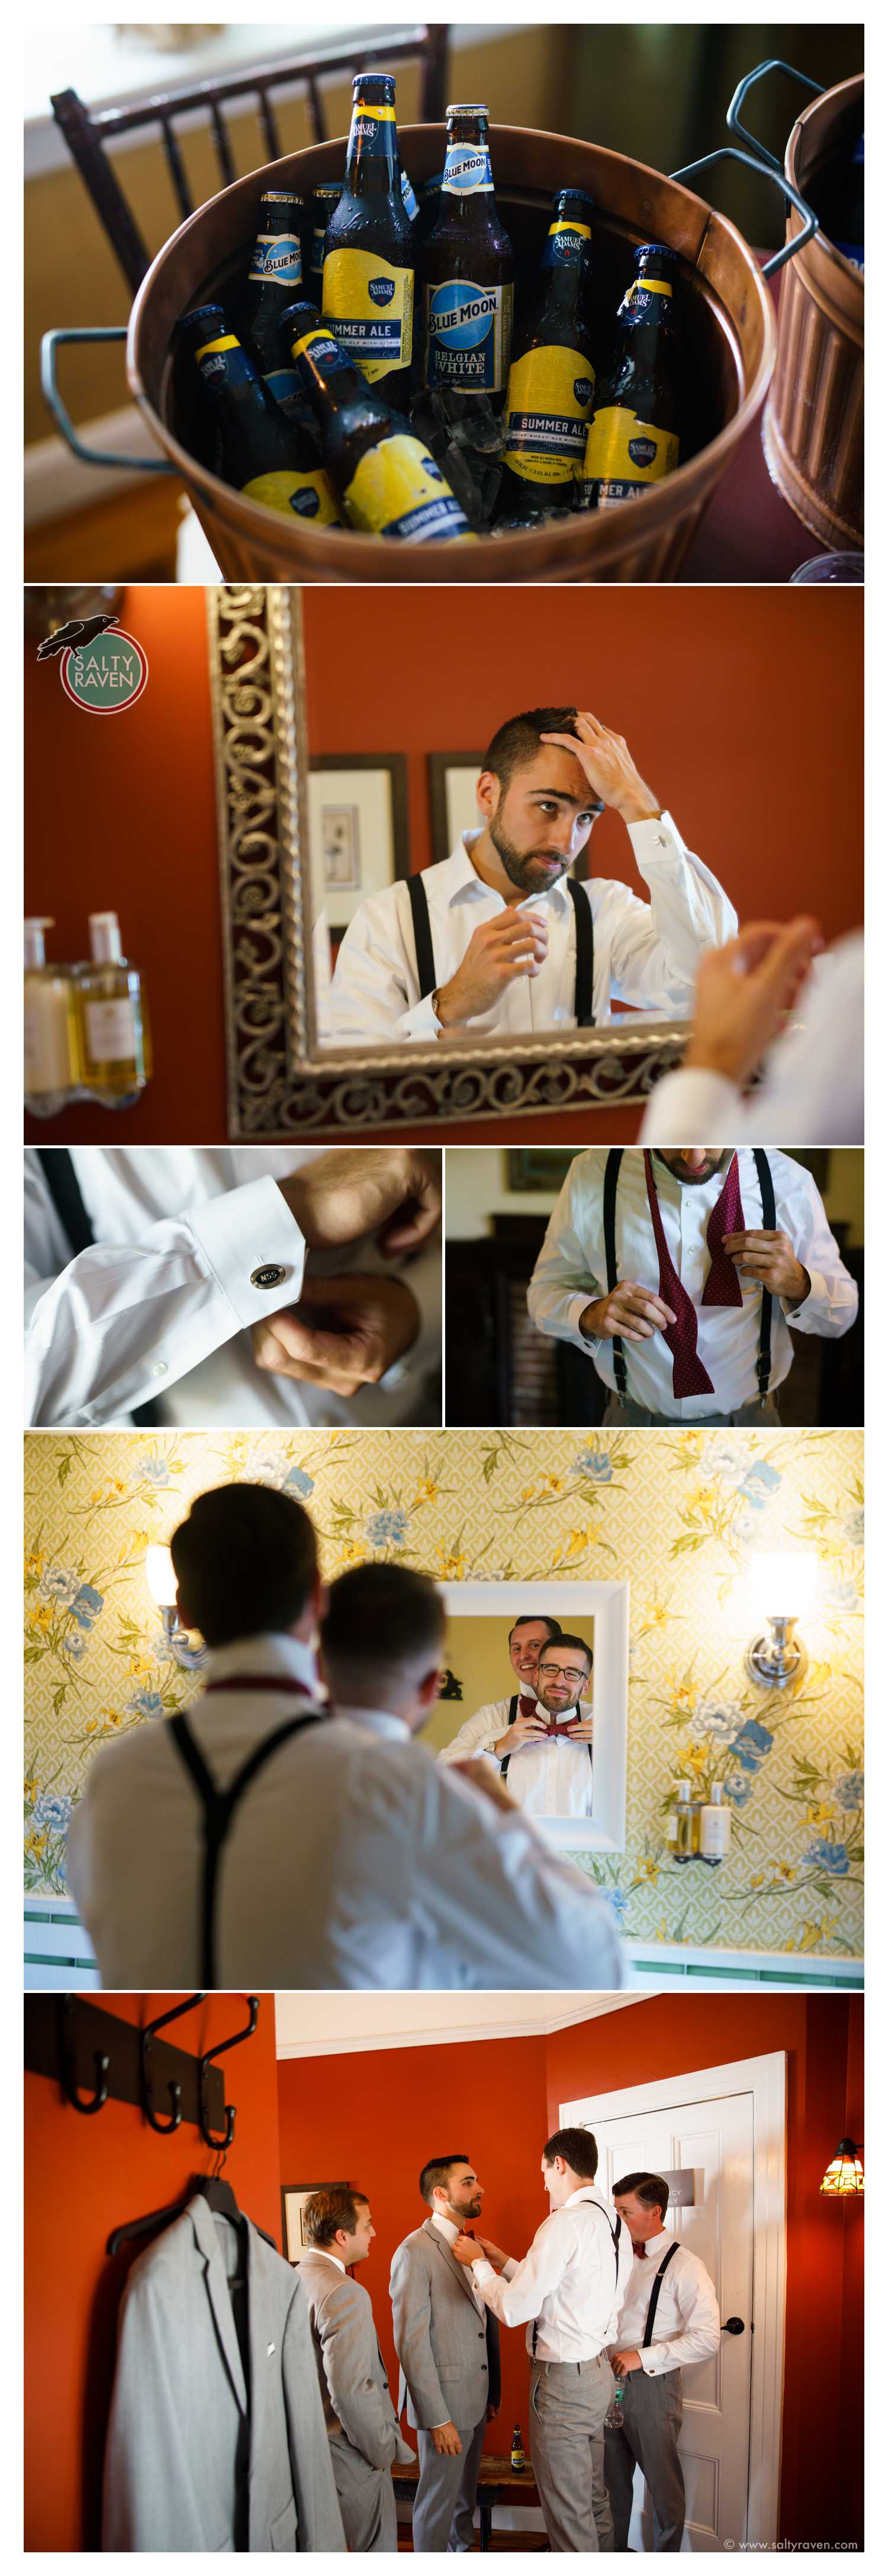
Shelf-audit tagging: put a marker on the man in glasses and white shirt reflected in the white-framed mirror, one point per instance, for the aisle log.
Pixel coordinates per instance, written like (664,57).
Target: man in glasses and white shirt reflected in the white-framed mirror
(547,1753)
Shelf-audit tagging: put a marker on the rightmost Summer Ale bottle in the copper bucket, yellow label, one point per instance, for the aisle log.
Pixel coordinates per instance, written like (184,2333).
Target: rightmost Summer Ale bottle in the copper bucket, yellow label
(632,431)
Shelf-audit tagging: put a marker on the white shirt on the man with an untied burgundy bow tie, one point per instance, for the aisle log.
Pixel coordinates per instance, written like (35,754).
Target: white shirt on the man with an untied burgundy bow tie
(573,1274)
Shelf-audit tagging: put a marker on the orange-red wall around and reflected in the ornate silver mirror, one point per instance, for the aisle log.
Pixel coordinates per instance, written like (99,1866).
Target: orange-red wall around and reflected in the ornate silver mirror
(743,710)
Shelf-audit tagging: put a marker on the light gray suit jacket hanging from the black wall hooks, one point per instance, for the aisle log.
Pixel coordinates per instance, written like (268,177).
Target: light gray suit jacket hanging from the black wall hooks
(192,2461)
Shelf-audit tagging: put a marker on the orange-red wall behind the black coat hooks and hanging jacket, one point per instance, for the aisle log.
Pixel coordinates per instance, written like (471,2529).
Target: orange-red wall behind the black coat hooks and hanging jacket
(81,2181)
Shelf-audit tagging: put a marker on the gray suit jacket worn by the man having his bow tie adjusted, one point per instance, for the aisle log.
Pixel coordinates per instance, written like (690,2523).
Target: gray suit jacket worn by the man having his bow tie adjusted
(449,2353)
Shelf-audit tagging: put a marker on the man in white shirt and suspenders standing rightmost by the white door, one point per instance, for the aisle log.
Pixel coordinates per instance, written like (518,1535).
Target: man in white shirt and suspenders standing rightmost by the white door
(668,2320)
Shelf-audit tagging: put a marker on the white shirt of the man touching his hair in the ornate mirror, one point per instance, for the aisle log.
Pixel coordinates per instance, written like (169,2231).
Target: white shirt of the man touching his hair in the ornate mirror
(645,954)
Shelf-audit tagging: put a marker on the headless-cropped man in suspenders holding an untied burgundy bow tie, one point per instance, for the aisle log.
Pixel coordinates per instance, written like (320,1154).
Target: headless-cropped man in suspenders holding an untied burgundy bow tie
(681,1276)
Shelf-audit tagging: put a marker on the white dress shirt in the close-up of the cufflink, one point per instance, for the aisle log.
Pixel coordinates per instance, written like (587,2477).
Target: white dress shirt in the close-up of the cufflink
(158,1312)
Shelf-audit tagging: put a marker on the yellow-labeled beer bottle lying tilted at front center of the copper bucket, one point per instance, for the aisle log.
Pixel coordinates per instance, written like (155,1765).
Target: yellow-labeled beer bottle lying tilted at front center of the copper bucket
(387,480)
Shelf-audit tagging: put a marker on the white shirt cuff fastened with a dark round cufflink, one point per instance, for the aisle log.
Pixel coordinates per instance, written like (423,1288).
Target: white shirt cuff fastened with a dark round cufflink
(251,1235)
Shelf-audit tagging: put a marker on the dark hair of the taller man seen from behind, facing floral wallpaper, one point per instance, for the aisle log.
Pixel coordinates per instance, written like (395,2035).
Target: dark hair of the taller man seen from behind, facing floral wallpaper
(246,1562)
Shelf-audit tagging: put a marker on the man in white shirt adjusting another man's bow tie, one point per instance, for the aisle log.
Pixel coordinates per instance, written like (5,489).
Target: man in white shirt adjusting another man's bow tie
(568,2291)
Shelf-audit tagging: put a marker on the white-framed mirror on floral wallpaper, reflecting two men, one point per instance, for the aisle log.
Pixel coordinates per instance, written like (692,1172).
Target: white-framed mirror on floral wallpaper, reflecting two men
(477,1673)
